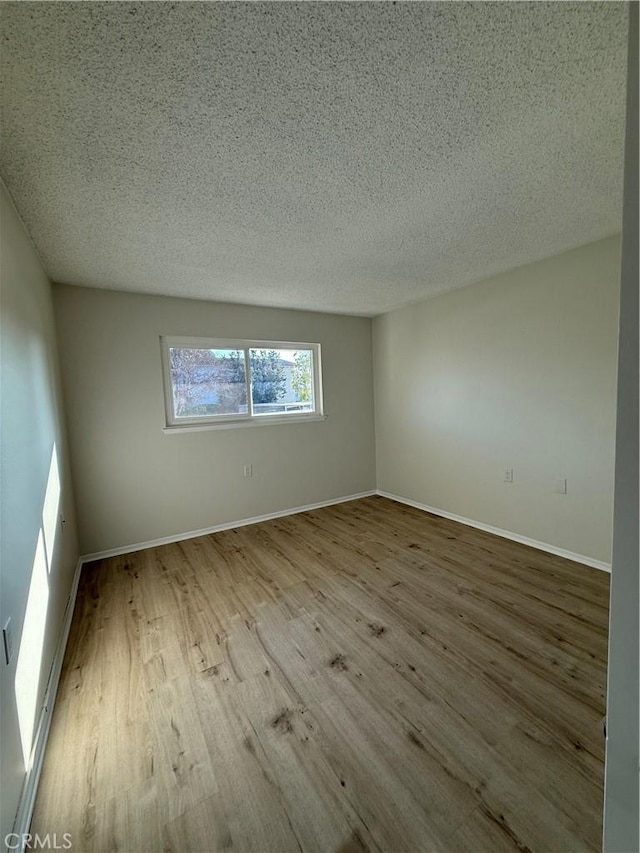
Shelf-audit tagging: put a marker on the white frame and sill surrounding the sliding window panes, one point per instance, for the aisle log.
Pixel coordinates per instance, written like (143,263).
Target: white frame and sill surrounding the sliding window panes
(175,424)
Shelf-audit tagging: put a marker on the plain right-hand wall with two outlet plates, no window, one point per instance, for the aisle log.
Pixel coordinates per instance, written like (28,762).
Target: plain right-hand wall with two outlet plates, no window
(518,371)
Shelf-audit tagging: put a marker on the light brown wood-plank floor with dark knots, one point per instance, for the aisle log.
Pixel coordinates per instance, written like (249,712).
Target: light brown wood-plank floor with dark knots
(361,677)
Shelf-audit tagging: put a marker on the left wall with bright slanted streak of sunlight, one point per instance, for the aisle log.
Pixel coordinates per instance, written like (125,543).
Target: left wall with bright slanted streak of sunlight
(33,544)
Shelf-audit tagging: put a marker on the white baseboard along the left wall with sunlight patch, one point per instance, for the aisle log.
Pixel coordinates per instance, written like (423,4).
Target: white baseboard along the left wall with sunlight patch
(32,777)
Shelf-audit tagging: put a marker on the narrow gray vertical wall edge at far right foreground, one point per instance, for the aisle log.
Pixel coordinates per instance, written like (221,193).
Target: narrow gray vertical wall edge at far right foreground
(621,775)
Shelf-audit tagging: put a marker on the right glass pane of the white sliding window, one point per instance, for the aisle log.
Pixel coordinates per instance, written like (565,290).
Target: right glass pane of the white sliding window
(281,381)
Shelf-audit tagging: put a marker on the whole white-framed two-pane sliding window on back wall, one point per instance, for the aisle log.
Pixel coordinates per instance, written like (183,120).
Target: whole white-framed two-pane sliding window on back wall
(209,382)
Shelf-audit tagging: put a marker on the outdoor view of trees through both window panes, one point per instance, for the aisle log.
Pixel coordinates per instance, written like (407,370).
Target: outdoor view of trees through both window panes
(209,382)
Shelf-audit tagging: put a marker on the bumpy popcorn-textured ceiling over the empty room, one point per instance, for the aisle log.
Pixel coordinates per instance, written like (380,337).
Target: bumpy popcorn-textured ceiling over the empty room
(340,157)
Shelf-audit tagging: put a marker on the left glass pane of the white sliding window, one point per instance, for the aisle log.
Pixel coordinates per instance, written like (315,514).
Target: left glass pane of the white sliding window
(207,382)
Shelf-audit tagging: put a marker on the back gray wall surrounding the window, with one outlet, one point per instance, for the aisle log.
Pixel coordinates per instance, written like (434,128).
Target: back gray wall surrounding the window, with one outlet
(135,483)
